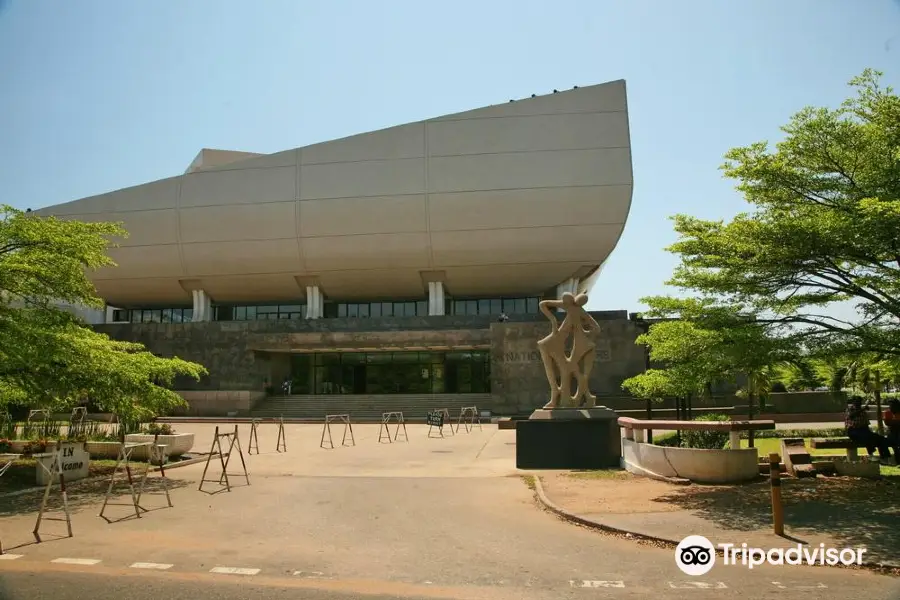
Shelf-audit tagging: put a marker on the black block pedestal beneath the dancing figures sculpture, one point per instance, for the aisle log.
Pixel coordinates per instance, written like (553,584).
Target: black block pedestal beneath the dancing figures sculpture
(569,438)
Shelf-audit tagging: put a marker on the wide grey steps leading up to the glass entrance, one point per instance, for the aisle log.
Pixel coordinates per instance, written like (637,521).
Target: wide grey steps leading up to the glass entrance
(366,407)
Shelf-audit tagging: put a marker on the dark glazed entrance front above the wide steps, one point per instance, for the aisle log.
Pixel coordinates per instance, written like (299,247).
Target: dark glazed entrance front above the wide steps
(391,373)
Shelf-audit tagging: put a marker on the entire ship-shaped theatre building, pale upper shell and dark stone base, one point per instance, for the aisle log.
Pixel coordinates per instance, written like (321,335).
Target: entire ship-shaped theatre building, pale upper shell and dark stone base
(379,264)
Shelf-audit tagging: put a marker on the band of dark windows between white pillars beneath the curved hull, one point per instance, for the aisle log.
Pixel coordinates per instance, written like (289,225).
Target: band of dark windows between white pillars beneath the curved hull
(410,308)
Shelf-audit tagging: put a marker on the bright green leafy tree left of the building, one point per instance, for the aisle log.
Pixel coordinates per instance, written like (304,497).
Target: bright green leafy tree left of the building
(48,357)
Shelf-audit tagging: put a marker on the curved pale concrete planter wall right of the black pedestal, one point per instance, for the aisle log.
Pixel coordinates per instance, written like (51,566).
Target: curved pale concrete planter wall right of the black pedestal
(694,464)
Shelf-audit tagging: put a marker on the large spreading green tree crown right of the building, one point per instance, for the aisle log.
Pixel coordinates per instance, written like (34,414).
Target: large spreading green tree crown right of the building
(823,230)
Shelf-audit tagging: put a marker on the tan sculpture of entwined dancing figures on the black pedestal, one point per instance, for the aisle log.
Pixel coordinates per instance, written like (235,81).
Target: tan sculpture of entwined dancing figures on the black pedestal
(561,367)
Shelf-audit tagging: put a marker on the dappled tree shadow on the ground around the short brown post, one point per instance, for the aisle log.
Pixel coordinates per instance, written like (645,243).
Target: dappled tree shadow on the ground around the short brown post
(852,512)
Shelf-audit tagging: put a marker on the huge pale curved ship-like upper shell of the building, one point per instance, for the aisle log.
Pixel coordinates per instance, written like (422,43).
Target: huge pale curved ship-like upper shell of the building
(504,200)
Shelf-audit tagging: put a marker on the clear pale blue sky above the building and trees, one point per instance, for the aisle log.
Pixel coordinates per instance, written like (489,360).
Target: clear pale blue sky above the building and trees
(100,95)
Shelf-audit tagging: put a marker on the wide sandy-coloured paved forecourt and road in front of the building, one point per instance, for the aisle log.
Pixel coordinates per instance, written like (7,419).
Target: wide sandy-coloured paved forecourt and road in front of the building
(429,518)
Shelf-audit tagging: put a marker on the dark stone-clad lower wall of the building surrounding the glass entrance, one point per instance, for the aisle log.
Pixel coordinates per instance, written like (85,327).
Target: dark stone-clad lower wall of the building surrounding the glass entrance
(247,356)
